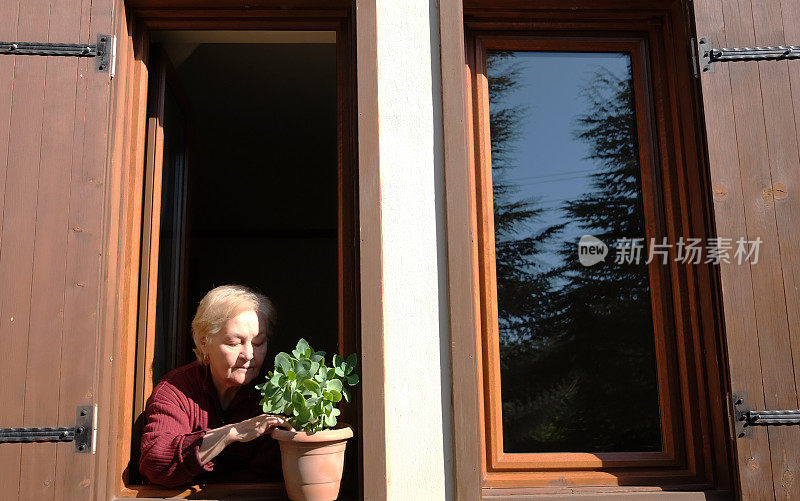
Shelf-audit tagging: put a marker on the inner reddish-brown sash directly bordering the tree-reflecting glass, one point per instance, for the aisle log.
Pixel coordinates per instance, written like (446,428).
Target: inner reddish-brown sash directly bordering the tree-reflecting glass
(660,291)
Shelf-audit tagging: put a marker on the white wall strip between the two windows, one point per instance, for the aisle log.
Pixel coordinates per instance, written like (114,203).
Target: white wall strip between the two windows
(416,332)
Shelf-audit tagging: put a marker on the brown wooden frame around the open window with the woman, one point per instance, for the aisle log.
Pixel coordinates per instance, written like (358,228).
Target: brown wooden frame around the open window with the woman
(358,186)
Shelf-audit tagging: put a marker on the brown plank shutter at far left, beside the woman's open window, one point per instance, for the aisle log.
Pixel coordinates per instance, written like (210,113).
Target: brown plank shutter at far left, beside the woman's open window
(53,134)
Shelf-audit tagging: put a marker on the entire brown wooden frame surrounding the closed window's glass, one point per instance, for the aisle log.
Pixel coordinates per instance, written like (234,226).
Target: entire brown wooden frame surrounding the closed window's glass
(699,457)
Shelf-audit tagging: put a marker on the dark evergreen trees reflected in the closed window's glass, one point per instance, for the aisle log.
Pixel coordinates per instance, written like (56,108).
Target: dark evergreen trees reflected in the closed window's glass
(576,343)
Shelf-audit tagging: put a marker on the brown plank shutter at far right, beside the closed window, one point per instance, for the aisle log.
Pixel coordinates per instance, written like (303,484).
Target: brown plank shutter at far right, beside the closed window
(751,111)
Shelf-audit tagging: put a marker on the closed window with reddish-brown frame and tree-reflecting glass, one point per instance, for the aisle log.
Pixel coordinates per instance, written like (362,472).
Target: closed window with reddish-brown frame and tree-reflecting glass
(589,341)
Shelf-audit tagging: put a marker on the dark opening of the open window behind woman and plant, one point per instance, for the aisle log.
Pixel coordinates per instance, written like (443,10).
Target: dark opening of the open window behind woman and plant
(249,179)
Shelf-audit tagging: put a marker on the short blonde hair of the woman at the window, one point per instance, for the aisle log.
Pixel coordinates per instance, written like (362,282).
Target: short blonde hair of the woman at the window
(220,305)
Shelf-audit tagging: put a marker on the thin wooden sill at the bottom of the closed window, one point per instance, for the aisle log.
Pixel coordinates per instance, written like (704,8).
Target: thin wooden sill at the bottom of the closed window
(601,494)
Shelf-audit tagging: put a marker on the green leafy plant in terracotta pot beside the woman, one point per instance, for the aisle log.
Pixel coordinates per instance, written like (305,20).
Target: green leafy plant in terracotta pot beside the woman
(307,391)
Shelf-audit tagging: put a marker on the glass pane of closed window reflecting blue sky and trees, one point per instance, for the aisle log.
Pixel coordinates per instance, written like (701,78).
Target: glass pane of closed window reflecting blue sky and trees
(577,357)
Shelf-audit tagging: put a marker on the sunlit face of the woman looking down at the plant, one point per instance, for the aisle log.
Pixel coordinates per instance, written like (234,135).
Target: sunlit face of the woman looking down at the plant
(236,353)
